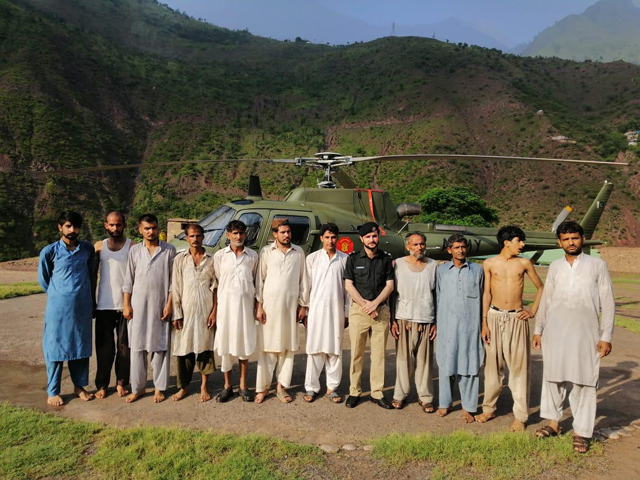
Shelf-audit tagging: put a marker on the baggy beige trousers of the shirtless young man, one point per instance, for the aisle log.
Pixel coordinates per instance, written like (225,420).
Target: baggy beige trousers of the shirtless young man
(509,348)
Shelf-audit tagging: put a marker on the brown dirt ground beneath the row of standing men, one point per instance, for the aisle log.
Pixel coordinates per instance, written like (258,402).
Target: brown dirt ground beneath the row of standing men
(23,382)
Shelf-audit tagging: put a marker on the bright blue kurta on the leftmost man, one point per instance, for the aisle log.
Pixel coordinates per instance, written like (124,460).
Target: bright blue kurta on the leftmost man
(65,276)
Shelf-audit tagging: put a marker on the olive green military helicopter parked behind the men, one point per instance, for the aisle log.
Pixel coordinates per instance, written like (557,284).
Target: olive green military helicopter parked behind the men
(350,207)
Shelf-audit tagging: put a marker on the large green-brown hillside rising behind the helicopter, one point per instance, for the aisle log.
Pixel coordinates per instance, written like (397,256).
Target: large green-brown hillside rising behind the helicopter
(80,86)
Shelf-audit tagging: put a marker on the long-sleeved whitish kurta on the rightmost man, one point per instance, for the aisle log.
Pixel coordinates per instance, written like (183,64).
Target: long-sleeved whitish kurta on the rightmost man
(568,319)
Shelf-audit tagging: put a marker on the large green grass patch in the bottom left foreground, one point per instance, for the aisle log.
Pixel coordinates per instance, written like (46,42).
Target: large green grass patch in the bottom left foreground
(36,445)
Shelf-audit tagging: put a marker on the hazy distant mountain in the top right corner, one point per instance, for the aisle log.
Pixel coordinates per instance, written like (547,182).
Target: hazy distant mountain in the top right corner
(607,31)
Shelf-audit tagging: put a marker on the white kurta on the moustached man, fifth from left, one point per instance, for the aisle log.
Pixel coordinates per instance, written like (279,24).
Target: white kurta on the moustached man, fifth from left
(235,276)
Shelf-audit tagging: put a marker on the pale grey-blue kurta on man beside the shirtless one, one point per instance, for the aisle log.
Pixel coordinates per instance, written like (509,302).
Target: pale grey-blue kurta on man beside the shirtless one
(459,349)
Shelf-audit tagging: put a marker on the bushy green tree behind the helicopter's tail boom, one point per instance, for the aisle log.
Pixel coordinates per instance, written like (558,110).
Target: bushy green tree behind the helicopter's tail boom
(457,205)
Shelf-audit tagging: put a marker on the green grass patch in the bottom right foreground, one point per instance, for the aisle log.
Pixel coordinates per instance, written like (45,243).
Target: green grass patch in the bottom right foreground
(496,456)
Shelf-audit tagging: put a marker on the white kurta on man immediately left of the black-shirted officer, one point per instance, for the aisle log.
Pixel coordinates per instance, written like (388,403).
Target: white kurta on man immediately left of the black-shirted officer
(328,298)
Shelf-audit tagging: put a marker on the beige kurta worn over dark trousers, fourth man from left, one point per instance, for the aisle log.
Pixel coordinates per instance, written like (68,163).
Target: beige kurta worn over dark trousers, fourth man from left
(192,296)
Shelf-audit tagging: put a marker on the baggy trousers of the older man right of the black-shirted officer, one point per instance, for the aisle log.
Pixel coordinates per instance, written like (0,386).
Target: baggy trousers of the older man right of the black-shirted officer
(414,355)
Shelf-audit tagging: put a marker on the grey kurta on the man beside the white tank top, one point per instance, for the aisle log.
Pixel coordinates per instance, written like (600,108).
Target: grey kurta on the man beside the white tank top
(148,280)
